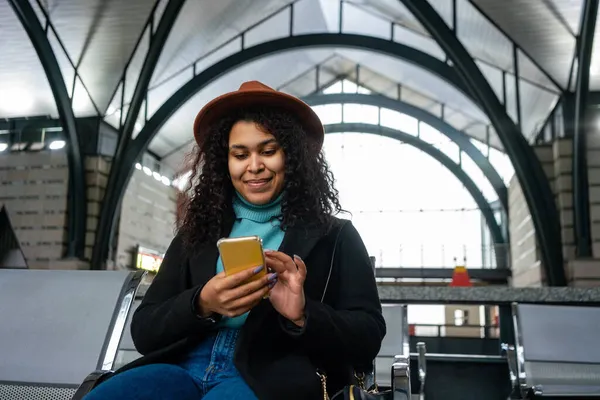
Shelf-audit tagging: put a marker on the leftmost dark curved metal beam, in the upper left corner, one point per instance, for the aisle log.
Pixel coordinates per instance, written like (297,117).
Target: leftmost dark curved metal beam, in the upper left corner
(76,203)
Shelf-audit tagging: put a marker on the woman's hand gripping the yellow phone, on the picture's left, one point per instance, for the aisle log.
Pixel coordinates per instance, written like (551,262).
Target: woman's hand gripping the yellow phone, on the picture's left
(230,296)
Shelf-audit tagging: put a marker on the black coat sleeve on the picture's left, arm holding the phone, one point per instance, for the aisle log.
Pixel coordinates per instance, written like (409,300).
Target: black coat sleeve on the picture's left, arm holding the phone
(167,313)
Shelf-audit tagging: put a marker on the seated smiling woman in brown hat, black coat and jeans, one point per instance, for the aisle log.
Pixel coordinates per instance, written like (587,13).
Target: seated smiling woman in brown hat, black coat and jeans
(204,335)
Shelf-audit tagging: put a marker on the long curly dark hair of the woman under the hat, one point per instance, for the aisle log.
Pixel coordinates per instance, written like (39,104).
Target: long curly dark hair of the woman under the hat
(309,195)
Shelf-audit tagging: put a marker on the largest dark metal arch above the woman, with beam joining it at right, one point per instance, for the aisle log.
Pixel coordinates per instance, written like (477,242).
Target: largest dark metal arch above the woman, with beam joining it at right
(463,74)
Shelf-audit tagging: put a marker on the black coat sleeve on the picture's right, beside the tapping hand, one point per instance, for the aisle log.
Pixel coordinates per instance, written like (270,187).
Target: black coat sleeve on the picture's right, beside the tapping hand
(352,328)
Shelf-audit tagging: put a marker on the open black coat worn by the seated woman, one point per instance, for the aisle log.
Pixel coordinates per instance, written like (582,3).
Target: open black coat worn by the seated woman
(342,333)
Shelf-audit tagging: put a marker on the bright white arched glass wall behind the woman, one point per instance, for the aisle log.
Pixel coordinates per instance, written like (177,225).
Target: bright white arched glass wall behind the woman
(410,209)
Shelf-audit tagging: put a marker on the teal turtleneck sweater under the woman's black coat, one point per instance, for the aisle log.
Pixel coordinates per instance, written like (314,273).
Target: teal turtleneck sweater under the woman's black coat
(253,220)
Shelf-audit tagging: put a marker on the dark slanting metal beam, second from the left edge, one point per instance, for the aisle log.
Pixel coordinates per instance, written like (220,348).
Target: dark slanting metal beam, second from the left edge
(112,195)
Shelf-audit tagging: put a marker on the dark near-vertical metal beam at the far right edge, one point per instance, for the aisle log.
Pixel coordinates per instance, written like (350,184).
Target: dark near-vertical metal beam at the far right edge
(581,199)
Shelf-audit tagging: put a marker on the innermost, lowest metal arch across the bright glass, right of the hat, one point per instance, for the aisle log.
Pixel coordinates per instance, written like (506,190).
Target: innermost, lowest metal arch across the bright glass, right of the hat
(487,211)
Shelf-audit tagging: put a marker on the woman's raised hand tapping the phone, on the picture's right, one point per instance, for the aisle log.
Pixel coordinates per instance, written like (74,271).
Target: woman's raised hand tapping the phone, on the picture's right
(287,296)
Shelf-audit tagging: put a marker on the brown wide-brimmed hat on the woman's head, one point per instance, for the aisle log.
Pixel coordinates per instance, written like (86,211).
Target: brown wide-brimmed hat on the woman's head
(254,93)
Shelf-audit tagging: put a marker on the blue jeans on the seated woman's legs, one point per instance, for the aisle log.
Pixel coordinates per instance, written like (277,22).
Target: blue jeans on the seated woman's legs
(206,373)
